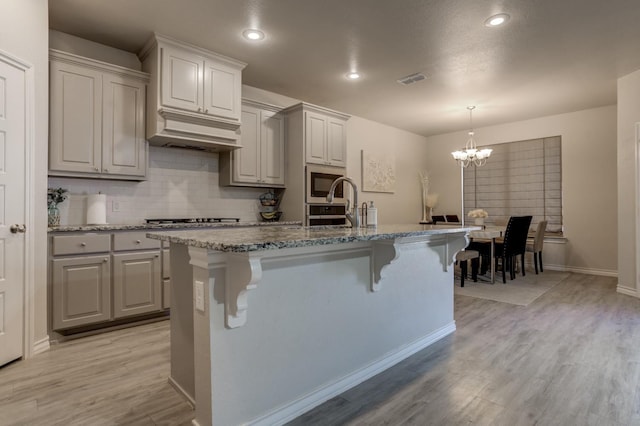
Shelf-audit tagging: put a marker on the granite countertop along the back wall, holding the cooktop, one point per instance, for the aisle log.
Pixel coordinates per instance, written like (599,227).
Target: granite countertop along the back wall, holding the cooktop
(166,226)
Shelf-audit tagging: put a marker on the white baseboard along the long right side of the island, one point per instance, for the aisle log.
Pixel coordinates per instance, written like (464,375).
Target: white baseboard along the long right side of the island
(305,403)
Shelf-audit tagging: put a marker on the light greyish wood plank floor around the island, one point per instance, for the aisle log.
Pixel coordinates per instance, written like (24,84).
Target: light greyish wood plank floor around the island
(572,357)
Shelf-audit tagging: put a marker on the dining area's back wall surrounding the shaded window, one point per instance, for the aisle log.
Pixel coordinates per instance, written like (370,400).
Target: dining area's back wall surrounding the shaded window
(589,179)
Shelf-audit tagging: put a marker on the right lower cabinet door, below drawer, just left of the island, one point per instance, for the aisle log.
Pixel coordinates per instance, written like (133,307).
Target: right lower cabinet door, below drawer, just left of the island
(137,285)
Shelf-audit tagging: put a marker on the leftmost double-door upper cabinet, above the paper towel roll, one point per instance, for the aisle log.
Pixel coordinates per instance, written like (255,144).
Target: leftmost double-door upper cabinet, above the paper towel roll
(96,119)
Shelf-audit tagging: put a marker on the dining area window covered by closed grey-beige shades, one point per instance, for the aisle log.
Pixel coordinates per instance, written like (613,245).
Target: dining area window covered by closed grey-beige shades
(520,178)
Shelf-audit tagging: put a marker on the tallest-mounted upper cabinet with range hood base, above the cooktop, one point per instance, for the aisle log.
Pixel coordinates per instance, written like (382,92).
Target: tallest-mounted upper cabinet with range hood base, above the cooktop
(194,98)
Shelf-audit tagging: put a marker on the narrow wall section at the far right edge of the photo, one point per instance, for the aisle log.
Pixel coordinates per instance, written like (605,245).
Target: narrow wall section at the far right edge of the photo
(628,116)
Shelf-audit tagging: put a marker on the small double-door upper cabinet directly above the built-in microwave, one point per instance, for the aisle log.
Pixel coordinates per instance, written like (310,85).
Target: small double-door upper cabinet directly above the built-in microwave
(324,133)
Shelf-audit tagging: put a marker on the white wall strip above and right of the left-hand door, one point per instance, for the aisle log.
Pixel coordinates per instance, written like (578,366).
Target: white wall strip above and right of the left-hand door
(24,34)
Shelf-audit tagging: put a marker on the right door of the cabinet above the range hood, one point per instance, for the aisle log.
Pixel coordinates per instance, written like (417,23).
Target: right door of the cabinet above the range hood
(222,90)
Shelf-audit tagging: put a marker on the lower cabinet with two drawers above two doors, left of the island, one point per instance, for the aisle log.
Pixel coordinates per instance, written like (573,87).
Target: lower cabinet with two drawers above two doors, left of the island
(98,278)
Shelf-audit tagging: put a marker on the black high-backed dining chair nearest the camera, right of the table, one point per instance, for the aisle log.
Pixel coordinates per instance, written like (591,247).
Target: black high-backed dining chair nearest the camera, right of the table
(514,244)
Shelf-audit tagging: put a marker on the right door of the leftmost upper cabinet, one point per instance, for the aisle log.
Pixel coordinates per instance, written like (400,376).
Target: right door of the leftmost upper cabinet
(123,143)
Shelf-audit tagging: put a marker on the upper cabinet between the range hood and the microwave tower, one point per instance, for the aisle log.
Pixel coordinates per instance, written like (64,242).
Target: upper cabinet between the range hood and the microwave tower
(260,162)
